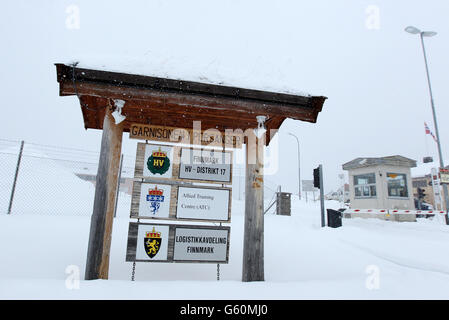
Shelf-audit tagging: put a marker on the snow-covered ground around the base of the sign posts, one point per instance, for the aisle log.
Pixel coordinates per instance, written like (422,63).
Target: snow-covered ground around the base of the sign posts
(365,259)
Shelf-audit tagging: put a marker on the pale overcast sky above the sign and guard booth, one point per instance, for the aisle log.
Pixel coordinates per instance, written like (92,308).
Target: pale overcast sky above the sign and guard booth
(356,53)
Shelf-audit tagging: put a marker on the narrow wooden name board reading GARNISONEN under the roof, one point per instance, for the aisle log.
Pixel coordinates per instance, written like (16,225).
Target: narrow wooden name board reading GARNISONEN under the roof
(210,137)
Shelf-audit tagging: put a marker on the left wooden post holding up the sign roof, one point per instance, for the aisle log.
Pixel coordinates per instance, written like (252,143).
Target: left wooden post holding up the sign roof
(97,264)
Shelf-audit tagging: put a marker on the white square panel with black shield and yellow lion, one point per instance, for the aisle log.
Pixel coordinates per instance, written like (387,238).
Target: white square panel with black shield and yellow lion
(152,242)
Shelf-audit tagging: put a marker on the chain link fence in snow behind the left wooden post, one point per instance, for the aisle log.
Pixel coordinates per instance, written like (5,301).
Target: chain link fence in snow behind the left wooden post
(40,179)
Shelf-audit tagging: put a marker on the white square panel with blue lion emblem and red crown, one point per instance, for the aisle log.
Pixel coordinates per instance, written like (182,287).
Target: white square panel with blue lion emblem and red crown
(154,200)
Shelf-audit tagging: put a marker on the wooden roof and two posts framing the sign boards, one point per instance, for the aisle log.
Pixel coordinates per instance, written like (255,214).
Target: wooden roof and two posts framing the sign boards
(175,103)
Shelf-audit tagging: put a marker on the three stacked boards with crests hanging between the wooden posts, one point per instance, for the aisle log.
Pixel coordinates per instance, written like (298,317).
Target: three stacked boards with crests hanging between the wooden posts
(158,194)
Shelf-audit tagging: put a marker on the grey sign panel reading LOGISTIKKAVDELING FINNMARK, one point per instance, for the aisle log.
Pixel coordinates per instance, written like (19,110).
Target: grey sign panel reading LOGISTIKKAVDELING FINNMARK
(200,244)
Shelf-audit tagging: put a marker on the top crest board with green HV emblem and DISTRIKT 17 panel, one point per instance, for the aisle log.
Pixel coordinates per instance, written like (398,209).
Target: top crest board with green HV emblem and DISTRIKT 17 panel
(164,162)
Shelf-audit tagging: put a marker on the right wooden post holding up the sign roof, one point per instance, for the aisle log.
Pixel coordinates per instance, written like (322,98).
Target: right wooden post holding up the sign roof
(253,244)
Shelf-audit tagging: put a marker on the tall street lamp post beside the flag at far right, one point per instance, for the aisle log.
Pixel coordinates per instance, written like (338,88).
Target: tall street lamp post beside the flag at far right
(423,34)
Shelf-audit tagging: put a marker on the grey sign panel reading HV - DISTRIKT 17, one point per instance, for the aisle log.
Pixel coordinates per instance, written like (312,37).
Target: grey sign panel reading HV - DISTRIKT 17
(203,164)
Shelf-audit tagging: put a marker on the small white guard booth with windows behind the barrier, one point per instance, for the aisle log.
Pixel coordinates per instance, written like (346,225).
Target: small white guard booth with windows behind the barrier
(380,183)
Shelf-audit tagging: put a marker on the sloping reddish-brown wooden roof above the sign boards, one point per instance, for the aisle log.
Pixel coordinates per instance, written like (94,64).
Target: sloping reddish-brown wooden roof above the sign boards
(178,103)
